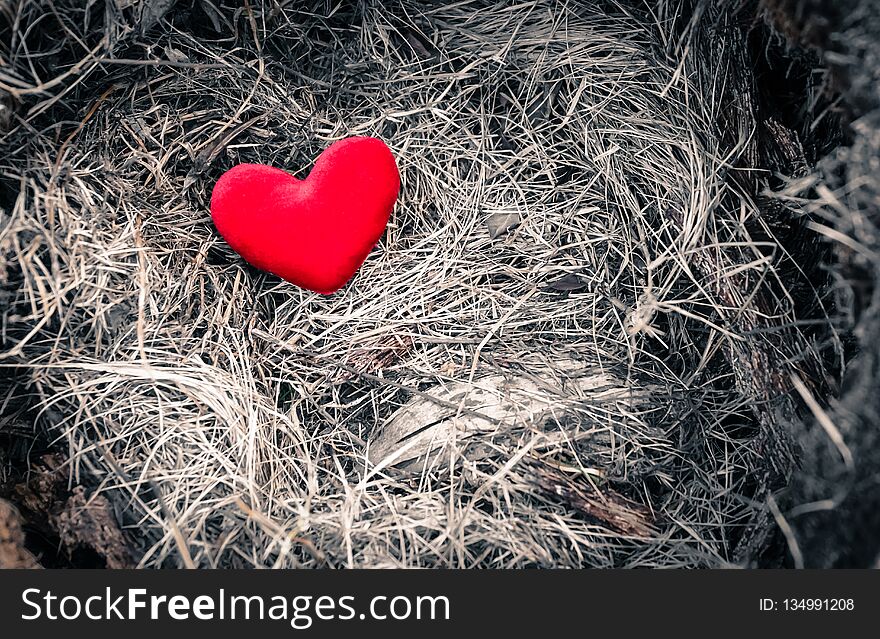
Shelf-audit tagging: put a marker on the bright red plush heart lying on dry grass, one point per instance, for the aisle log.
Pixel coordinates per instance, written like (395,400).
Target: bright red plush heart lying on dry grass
(314,232)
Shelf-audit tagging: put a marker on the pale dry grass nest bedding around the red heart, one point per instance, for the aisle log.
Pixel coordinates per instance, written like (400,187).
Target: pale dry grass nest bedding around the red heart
(578,183)
